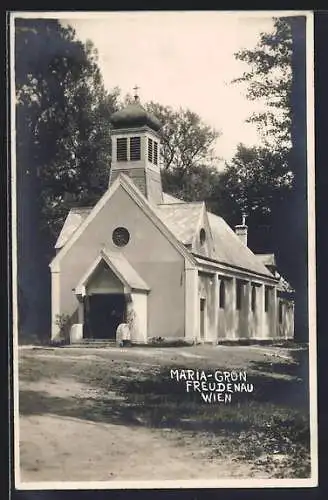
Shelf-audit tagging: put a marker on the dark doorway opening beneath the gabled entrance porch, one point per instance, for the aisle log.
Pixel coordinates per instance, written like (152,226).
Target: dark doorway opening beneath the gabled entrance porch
(102,315)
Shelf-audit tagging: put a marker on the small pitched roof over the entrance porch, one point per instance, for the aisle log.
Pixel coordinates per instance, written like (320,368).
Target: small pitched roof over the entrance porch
(120,267)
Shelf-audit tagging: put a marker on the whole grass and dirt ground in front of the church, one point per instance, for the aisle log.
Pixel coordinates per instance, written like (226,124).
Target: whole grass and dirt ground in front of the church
(142,419)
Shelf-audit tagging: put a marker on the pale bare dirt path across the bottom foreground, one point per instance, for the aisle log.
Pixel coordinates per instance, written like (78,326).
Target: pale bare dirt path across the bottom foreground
(61,448)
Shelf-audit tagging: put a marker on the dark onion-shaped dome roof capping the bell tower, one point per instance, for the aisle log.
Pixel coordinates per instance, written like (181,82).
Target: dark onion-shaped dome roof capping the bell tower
(134,115)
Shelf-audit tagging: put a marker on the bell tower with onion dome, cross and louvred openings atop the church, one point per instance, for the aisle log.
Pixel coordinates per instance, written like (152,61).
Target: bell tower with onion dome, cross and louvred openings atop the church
(136,149)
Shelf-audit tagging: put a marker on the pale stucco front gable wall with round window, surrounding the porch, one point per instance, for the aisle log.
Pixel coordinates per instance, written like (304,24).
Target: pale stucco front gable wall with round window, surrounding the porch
(148,251)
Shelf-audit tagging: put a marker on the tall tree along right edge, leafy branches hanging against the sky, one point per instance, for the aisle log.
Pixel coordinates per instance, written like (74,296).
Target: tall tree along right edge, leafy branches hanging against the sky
(277,77)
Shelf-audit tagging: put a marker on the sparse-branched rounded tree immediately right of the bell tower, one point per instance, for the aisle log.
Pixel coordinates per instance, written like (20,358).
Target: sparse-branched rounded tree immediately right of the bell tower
(186,140)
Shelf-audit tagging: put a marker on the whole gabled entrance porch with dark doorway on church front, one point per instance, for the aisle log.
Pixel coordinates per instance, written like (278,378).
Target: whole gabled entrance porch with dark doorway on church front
(110,292)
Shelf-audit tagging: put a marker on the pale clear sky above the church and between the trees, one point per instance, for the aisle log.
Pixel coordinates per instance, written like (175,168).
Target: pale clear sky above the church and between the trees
(181,59)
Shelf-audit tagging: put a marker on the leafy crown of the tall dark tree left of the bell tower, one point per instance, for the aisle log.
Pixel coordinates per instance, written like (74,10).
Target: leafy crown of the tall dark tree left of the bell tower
(63,115)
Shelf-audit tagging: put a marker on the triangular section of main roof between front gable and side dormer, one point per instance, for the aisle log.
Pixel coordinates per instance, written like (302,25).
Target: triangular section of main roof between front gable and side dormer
(181,218)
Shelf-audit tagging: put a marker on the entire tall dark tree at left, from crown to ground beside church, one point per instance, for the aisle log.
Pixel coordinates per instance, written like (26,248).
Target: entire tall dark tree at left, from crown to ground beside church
(62,150)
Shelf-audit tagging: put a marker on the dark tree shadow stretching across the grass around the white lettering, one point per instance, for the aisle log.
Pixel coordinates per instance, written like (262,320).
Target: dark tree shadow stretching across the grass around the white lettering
(276,407)
